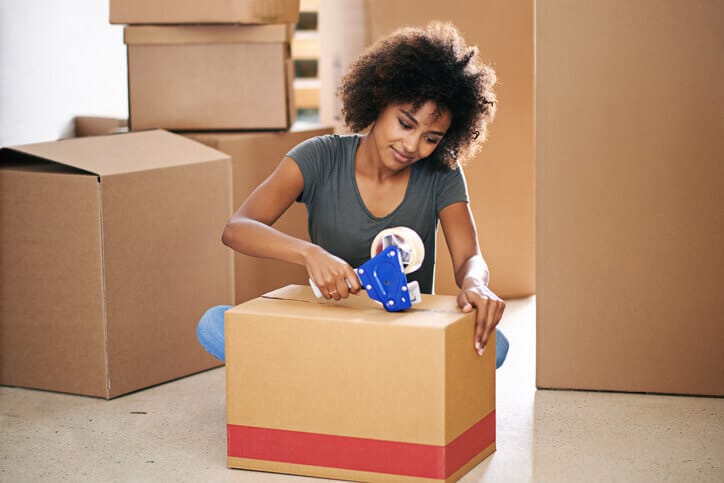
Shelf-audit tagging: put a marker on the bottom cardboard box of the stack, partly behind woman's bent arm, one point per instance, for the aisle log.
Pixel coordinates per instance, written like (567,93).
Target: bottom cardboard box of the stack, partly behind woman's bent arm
(254,156)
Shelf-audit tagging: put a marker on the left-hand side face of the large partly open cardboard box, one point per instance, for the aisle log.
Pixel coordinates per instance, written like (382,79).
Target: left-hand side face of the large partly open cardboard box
(52,334)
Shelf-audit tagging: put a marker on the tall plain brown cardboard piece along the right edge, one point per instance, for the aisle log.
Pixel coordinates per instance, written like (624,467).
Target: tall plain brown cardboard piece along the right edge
(630,196)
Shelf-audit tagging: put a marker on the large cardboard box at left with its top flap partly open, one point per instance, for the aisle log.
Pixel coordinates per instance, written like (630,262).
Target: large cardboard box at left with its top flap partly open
(109,255)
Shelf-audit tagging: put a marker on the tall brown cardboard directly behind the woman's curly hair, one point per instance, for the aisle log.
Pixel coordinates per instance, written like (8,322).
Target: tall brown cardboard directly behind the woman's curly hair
(501,179)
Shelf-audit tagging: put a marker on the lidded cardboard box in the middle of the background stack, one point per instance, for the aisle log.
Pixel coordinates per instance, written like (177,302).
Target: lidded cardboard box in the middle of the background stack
(219,77)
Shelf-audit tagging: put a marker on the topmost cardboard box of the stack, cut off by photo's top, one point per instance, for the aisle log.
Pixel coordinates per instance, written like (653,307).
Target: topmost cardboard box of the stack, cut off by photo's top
(209,11)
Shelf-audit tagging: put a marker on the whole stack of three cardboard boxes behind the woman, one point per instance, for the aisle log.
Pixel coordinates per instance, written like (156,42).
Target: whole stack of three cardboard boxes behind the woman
(221,72)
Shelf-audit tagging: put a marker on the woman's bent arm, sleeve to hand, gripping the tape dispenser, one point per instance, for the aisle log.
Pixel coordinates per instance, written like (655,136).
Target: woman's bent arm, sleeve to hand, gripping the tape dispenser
(249,231)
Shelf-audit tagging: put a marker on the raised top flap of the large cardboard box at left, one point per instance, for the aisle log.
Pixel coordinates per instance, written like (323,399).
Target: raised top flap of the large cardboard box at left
(124,153)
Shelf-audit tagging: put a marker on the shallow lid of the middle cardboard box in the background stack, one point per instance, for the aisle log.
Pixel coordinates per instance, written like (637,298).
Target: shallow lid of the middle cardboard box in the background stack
(201,34)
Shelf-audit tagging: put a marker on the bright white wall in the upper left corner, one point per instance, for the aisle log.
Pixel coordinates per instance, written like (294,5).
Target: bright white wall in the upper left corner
(58,59)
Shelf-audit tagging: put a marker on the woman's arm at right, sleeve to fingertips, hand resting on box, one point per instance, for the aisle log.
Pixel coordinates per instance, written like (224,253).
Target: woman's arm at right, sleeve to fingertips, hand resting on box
(471,272)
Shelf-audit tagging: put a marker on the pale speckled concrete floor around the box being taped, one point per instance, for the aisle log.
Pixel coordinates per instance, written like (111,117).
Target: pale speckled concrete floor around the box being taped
(176,431)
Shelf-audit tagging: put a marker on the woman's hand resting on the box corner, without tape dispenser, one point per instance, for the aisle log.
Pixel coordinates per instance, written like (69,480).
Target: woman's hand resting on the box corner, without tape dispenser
(489,307)
